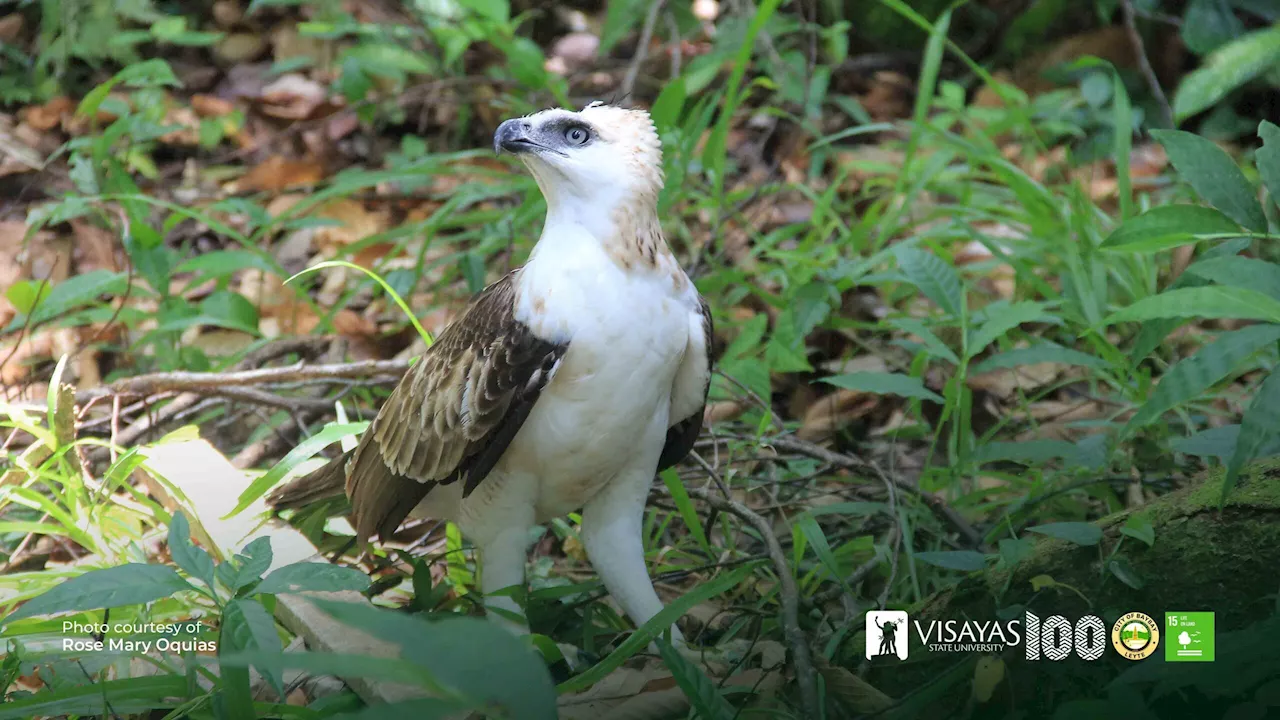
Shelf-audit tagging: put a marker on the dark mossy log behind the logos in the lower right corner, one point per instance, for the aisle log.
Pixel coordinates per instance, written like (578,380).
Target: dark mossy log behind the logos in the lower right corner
(1204,559)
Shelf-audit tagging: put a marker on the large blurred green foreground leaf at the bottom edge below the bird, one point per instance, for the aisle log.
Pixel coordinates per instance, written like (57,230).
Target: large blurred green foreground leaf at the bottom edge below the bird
(472,658)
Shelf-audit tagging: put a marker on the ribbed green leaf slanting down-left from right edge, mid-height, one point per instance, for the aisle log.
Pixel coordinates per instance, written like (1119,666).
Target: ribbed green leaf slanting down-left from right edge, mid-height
(1192,376)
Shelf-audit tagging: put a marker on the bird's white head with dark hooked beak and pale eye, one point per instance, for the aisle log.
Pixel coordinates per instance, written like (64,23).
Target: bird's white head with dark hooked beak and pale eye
(598,160)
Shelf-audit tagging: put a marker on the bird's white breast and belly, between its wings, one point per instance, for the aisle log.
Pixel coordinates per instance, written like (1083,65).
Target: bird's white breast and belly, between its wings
(609,404)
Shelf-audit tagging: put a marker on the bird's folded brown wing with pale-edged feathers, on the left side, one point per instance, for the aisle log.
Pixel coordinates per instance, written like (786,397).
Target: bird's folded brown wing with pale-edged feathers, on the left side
(454,414)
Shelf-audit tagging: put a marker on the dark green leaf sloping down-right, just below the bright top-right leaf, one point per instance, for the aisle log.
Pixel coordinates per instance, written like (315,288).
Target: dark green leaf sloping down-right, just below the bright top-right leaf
(1215,176)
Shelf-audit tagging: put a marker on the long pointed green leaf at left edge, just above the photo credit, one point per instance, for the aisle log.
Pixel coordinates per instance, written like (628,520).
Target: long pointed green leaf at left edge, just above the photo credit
(134,584)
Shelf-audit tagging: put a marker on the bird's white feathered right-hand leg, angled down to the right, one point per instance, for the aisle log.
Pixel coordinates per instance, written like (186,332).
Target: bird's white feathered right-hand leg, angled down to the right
(612,527)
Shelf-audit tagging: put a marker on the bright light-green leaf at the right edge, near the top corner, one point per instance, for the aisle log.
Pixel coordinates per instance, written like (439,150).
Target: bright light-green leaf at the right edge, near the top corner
(1226,70)
